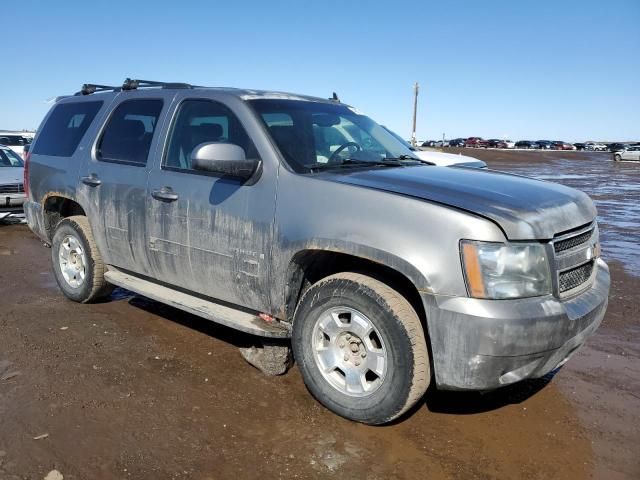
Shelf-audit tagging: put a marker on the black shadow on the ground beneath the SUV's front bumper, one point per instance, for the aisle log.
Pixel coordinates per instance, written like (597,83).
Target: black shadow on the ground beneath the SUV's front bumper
(467,403)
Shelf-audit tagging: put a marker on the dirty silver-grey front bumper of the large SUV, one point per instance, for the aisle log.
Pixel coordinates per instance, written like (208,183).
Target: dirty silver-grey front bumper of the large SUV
(485,344)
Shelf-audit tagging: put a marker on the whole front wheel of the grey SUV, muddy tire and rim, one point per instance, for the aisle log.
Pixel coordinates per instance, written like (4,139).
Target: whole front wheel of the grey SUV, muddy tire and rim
(345,302)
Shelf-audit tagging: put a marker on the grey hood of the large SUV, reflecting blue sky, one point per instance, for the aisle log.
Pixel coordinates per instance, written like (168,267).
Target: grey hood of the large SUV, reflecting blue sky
(524,208)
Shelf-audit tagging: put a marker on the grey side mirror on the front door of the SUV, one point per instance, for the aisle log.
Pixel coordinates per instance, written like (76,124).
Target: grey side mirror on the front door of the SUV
(226,159)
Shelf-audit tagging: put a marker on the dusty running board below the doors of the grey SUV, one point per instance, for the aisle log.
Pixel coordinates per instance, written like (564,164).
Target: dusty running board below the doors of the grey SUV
(230,317)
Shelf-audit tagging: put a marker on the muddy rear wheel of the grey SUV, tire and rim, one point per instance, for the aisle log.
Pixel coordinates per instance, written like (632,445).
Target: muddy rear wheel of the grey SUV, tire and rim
(73,246)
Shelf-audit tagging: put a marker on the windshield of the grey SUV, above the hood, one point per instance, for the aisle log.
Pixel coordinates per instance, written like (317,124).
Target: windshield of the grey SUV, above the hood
(314,135)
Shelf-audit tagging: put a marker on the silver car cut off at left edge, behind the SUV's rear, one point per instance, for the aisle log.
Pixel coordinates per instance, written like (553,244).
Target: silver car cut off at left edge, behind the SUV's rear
(12,194)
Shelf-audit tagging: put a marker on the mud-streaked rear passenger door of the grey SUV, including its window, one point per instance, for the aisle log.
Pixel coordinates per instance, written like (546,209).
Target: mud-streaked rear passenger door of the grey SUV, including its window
(113,183)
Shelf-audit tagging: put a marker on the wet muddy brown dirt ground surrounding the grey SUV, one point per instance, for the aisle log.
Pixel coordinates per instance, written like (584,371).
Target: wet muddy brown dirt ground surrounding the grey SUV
(129,388)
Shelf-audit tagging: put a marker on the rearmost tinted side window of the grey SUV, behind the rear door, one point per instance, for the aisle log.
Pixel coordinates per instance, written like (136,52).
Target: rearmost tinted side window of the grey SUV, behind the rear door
(65,127)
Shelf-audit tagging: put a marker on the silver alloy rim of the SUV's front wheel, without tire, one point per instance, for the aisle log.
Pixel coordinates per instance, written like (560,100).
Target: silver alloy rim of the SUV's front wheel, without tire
(349,352)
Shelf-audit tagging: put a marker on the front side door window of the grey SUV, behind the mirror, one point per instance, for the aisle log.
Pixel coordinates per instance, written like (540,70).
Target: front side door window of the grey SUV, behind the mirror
(203,121)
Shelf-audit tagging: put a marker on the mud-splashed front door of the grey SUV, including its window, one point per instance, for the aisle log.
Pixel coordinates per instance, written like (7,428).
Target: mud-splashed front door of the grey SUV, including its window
(209,234)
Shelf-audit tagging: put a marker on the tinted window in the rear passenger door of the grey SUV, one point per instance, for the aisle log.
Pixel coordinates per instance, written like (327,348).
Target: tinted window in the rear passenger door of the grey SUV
(129,132)
